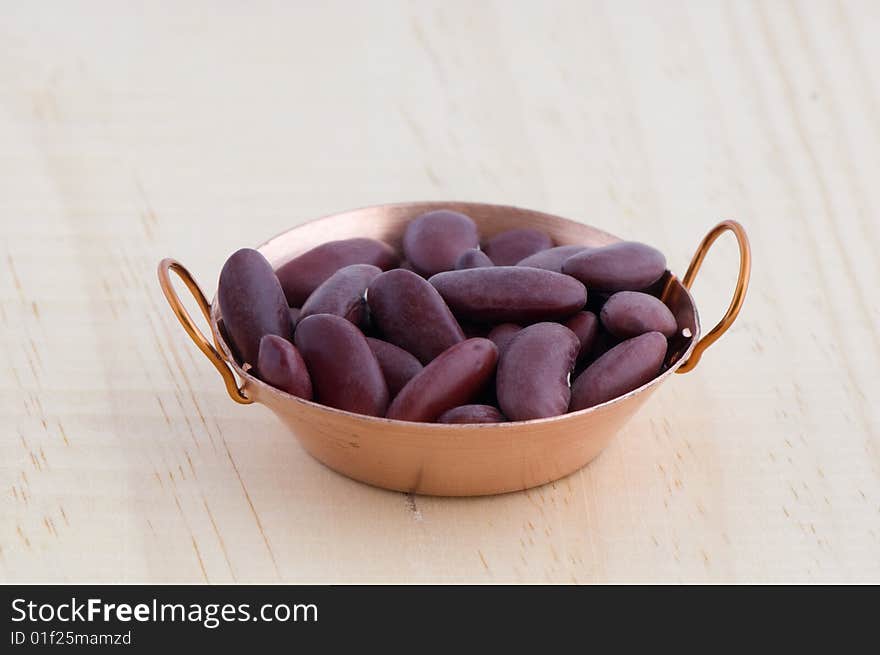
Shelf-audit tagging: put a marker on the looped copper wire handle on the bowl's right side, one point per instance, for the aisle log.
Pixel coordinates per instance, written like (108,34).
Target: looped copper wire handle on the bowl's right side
(739,294)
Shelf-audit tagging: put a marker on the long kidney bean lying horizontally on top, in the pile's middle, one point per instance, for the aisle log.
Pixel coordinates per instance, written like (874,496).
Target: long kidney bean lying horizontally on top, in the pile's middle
(516,294)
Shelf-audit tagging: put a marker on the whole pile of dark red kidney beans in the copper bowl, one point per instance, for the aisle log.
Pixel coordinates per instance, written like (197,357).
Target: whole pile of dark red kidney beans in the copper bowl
(453,333)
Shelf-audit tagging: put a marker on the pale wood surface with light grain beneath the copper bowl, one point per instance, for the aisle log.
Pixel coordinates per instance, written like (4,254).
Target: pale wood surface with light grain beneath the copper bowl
(133,131)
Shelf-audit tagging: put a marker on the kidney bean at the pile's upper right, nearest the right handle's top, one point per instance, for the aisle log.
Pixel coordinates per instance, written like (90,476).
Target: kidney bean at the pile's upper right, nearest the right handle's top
(622,266)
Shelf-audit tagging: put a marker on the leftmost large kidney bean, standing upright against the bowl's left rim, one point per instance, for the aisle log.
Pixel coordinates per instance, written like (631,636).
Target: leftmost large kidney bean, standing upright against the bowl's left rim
(252,302)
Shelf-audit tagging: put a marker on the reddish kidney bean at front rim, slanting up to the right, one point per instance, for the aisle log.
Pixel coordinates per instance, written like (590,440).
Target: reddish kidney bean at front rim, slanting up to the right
(453,378)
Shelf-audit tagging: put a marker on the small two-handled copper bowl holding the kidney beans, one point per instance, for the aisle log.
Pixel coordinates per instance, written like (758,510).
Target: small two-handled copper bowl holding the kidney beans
(454,460)
